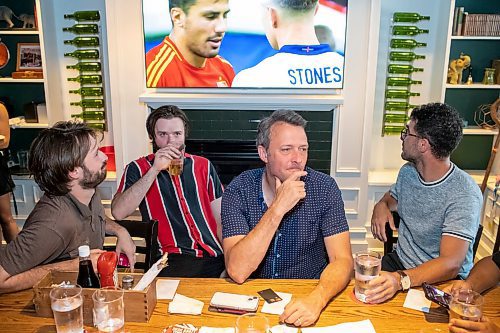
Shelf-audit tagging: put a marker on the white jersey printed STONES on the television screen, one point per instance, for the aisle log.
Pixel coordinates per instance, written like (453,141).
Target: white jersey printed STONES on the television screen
(296,66)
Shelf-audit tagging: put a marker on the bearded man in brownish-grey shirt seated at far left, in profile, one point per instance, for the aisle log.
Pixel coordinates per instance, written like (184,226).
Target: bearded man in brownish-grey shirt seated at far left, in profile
(67,165)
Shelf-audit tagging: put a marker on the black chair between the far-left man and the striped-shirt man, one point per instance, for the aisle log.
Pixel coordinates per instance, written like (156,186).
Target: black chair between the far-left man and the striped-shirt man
(148,230)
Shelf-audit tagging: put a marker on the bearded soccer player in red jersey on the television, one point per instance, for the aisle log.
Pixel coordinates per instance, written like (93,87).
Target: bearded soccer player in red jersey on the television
(188,57)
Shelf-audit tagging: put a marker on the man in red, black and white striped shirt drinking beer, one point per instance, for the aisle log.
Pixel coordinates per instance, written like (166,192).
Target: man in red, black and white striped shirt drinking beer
(187,206)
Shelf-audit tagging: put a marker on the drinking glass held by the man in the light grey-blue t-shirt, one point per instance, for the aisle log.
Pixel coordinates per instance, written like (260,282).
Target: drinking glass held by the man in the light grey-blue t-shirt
(367,267)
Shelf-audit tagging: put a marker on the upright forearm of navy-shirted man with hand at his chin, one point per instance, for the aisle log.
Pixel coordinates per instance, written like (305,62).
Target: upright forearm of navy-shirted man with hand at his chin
(246,255)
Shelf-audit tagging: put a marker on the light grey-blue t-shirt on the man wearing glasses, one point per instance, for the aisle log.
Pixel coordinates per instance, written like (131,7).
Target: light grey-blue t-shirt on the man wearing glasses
(449,206)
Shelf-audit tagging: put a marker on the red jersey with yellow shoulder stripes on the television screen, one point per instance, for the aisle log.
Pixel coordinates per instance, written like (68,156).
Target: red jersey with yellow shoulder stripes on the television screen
(165,67)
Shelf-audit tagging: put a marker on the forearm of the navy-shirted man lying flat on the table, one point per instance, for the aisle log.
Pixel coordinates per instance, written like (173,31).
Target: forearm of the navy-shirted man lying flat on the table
(334,279)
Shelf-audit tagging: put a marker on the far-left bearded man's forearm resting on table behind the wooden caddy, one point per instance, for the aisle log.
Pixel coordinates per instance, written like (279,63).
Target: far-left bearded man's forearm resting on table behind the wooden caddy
(26,280)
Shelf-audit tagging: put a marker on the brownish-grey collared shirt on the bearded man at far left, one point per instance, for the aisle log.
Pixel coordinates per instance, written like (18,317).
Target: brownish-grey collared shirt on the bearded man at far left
(54,230)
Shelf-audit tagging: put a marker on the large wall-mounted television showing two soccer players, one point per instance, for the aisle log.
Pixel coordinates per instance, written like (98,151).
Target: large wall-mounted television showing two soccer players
(245,43)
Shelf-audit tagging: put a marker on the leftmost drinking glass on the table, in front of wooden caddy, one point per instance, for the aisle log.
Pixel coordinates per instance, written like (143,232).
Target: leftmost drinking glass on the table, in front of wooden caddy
(66,303)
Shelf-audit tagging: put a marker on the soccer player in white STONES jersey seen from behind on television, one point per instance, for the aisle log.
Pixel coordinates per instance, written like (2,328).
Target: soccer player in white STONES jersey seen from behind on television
(302,62)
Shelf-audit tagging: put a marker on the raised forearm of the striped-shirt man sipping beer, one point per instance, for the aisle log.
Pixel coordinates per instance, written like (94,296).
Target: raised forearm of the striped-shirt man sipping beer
(126,203)
